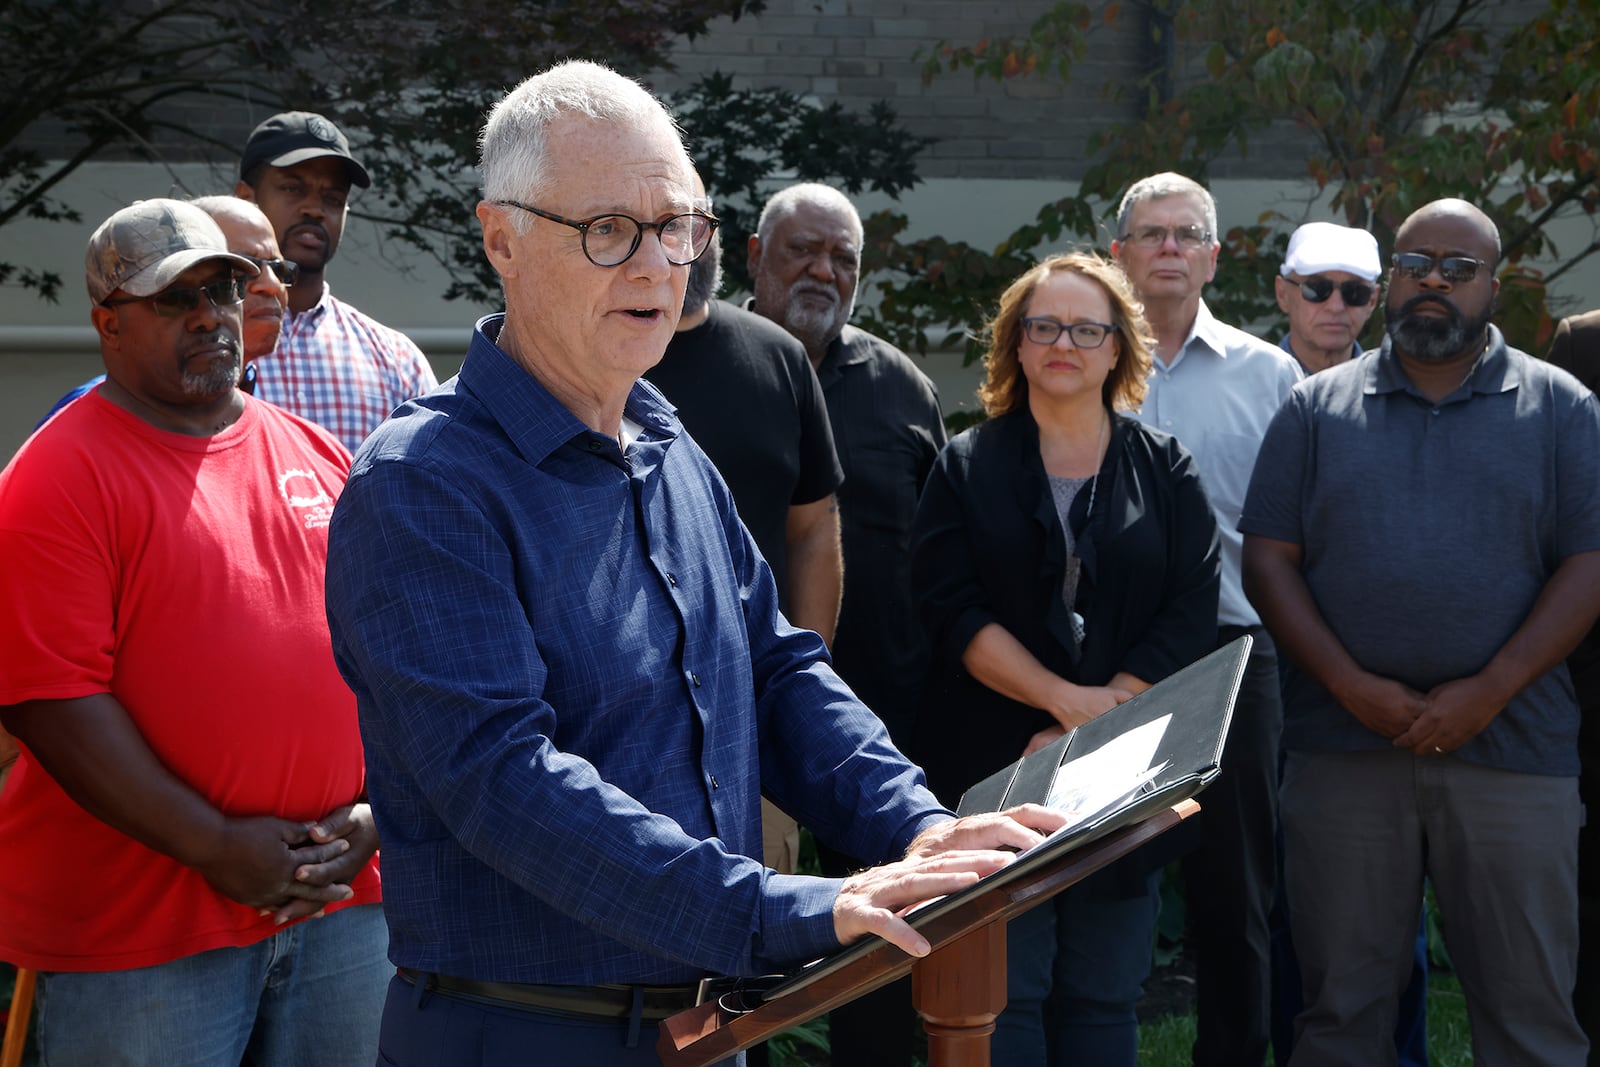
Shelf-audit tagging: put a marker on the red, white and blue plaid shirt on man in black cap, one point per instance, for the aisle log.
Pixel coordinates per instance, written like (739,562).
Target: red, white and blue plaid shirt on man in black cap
(343,370)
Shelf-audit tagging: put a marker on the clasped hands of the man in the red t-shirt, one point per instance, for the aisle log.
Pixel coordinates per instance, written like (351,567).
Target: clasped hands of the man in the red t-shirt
(290,869)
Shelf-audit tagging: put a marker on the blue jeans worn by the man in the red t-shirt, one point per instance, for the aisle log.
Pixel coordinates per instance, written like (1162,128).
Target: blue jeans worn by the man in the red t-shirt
(310,994)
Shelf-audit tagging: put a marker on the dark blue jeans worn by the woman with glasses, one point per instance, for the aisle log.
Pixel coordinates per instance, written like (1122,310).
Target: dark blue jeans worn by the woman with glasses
(1076,969)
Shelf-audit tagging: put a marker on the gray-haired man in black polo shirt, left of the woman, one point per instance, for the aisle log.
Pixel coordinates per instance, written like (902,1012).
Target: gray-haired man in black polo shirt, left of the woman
(806,262)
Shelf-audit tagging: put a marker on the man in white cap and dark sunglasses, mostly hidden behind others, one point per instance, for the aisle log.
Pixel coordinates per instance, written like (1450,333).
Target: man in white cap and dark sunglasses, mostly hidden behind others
(1329,289)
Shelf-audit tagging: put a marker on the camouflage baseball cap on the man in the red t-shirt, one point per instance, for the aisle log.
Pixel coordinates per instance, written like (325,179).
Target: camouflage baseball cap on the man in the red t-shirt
(145,247)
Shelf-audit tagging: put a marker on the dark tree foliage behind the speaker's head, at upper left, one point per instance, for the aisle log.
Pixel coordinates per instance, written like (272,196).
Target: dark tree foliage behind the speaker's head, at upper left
(410,82)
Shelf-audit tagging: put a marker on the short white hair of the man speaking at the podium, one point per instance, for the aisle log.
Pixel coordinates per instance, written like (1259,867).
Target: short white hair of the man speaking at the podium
(513,154)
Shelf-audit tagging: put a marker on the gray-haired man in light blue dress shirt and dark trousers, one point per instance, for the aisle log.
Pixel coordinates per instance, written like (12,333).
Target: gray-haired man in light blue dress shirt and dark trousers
(1217,390)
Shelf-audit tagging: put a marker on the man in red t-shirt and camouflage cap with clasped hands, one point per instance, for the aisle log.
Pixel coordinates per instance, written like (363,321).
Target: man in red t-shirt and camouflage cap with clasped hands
(191,785)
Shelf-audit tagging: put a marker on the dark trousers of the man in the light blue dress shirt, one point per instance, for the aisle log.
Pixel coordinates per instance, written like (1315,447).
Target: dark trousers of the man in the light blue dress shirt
(1230,882)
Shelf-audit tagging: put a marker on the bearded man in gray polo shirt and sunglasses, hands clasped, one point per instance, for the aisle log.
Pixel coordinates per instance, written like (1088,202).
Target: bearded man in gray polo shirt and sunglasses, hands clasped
(1423,540)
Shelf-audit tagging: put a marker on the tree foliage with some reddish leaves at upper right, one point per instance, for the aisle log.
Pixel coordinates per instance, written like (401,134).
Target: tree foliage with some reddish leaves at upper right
(1394,105)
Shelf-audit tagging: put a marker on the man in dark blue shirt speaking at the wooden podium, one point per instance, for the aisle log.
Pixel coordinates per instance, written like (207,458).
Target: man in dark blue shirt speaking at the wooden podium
(572,674)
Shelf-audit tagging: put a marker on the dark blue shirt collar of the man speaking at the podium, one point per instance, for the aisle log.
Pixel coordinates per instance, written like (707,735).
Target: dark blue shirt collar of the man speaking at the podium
(529,414)
